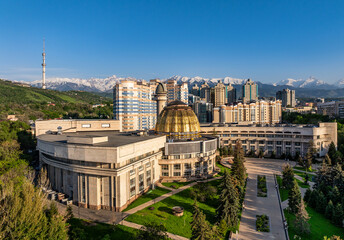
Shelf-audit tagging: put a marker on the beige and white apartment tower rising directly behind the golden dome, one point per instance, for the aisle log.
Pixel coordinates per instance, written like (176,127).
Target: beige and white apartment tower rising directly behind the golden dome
(177,91)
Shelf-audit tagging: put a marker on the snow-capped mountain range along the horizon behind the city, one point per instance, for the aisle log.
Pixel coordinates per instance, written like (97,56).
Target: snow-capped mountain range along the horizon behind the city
(106,84)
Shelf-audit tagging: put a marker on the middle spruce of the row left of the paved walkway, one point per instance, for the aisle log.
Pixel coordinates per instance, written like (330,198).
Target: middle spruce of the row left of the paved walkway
(228,209)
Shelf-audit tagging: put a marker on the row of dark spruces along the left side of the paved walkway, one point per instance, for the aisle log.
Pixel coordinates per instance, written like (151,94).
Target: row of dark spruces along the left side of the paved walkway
(230,199)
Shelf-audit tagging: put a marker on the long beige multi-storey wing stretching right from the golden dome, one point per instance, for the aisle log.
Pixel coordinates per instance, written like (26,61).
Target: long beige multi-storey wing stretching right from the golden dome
(280,139)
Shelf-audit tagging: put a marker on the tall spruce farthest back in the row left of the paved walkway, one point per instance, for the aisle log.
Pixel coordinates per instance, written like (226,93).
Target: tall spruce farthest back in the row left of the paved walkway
(238,167)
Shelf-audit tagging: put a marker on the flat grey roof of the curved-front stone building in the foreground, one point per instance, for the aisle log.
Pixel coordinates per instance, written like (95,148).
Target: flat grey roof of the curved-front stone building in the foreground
(115,139)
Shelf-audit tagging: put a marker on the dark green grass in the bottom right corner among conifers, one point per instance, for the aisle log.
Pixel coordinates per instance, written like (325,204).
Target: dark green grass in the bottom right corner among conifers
(320,226)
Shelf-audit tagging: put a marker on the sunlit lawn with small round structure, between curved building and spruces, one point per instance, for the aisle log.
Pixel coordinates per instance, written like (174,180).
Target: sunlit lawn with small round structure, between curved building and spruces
(162,212)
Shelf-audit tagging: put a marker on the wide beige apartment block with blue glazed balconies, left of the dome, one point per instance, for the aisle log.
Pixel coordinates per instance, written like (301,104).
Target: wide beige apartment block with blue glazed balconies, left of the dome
(133,104)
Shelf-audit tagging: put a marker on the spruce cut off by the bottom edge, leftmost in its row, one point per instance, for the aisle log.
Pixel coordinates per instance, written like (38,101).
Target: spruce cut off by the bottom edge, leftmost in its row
(199,226)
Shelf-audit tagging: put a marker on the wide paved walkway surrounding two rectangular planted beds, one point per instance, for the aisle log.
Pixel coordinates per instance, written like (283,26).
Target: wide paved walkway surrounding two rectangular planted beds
(261,205)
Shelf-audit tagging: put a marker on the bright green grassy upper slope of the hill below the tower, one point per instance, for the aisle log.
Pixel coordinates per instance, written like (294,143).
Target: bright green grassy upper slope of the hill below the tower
(15,93)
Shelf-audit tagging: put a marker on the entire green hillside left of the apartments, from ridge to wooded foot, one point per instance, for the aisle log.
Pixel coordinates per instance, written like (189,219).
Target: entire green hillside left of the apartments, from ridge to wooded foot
(29,103)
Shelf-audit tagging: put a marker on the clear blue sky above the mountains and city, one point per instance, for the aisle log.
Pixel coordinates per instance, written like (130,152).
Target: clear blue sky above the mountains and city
(267,41)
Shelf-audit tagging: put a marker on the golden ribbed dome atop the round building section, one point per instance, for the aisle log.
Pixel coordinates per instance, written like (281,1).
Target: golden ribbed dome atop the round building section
(178,121)
